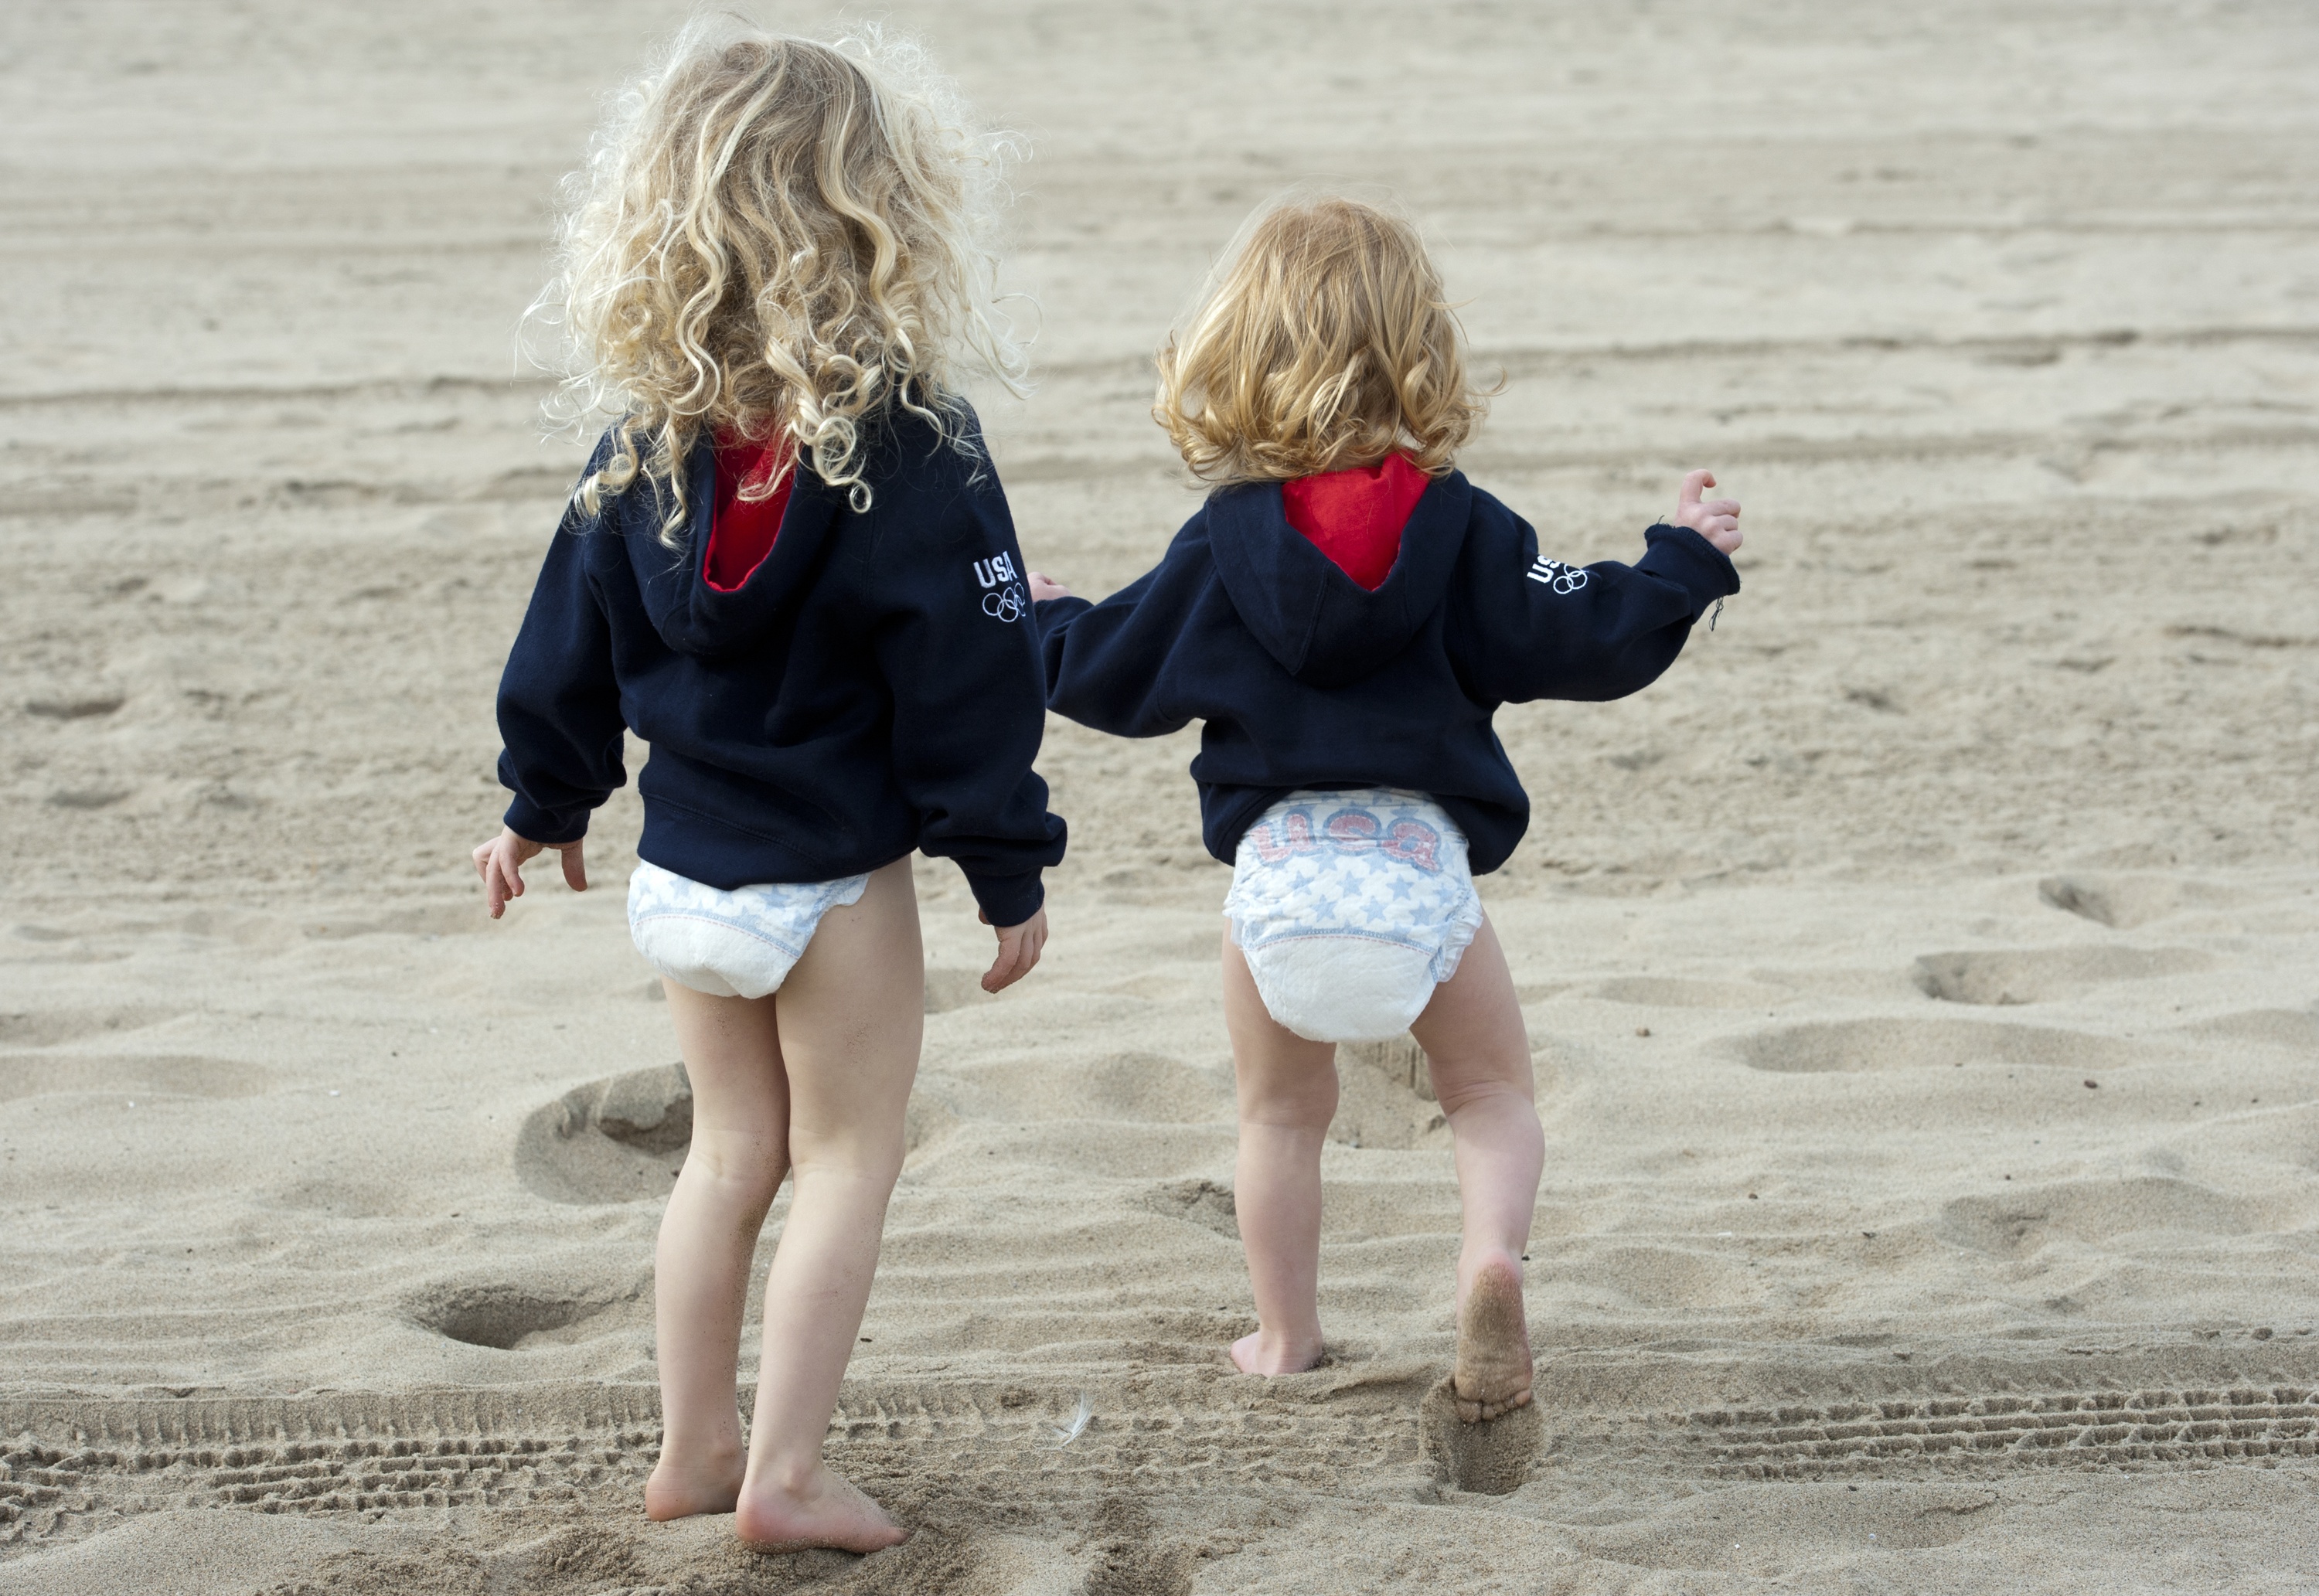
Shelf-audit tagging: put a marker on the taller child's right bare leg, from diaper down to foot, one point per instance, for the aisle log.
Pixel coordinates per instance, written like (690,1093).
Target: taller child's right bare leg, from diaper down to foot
(852,1020)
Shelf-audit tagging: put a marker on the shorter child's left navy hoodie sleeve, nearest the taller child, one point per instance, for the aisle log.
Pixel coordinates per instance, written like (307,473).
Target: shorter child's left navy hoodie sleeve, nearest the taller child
(1107,665)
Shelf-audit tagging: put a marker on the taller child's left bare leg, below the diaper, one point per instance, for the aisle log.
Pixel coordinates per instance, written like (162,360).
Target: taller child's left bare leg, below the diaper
(708,1238)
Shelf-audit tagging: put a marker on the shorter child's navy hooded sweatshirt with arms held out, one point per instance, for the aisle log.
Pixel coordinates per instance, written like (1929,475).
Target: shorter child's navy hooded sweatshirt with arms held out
(1307,681)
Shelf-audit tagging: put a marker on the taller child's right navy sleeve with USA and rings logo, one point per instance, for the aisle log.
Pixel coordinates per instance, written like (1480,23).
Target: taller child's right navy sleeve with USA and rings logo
(961,658)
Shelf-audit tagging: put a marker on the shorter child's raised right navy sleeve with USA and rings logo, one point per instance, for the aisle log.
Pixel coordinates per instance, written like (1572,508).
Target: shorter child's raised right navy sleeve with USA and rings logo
(1541,630)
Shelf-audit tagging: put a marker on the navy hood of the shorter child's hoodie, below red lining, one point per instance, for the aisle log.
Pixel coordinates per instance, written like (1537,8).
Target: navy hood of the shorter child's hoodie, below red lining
(1321,625)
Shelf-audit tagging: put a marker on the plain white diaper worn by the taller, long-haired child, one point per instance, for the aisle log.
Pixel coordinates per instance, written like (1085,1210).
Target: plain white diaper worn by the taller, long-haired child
(729,945)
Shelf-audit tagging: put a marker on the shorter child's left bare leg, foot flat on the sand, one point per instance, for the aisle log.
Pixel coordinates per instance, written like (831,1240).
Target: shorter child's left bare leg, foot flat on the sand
(1288,1098)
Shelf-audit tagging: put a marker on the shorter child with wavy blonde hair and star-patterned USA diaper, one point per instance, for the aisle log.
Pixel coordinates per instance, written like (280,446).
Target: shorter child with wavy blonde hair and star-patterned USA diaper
(1346,614)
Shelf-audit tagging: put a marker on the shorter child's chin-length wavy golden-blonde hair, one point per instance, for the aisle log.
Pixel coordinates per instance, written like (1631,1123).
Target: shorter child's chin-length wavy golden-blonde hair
(1321,344)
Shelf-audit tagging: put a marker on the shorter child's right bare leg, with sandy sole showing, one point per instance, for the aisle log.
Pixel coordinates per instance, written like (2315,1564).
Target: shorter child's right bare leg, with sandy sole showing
(1481,1059)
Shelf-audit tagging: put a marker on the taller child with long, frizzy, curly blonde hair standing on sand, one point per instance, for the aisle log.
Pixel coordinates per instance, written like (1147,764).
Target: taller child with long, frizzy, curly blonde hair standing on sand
(790,570)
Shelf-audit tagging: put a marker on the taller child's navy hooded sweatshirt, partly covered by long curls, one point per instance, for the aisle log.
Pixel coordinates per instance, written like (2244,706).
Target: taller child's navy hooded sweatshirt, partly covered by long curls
(871,690)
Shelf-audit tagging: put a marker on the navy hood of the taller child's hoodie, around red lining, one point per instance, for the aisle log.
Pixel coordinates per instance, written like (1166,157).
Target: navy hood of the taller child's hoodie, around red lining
(697,618)
